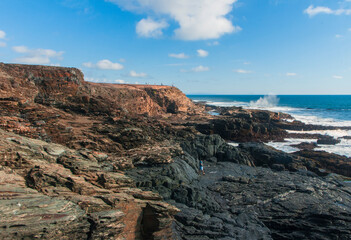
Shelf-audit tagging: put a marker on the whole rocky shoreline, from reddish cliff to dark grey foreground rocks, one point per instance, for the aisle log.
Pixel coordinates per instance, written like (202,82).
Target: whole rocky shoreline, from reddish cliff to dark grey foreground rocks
(81,160)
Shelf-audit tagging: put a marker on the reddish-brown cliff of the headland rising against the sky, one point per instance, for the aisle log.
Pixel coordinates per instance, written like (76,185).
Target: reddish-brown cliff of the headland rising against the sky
(66,89)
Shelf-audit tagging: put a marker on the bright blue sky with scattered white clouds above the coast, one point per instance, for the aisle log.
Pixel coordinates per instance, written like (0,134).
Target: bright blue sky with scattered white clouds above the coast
(201,47)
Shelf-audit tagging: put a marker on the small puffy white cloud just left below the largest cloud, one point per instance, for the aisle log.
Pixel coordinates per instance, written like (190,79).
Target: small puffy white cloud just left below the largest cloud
(150,28)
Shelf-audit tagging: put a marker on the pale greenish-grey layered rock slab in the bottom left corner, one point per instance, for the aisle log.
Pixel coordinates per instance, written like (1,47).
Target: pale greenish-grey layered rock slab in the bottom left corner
(25,213)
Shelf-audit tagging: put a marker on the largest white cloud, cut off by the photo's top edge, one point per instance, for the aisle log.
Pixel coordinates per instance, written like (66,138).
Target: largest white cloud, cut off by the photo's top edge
(197,20)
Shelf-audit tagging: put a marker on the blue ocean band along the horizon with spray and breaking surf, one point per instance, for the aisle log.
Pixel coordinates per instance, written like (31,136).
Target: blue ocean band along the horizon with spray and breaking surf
(330,109)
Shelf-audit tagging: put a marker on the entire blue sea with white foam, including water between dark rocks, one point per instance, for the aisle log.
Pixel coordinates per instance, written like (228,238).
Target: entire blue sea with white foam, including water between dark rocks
(326,110)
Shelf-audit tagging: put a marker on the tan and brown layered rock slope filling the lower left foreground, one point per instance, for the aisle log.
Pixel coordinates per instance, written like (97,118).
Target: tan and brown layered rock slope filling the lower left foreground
(51,191)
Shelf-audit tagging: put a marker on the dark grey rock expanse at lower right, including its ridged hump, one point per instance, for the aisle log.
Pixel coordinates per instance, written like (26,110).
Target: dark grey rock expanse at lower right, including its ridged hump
(234,201)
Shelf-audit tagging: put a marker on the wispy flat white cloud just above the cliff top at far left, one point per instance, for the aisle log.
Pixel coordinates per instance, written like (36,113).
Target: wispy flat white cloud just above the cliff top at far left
(36,56)
